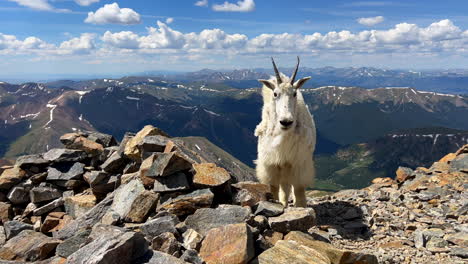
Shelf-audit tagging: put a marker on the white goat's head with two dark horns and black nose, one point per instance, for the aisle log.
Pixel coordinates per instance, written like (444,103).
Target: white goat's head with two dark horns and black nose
(285,96)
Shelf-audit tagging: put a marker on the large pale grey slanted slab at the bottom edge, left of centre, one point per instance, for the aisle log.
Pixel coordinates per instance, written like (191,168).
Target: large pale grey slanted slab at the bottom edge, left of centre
(119,247)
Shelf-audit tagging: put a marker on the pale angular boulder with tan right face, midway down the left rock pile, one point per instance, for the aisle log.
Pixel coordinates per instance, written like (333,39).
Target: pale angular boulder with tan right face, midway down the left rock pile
(132,202)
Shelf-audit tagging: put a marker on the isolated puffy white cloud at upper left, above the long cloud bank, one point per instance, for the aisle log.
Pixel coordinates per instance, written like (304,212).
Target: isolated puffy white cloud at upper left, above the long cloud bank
(113,14)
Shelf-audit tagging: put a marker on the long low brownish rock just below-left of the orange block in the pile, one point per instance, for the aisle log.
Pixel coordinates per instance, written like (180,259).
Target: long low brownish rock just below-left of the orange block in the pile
(187,203)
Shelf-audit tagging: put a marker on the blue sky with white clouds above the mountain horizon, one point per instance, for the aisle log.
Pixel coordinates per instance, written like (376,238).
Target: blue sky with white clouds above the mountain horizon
(60,37)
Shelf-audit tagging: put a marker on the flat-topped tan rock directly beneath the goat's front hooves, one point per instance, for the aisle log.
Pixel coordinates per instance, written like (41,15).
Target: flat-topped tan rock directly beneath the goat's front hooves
(300,219)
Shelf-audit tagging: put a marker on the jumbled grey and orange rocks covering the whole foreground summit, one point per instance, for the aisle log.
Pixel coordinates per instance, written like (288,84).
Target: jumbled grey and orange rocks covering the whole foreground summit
(156,199)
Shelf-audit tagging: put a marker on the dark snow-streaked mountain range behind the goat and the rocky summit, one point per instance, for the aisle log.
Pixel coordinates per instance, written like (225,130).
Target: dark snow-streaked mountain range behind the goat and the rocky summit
(367,123)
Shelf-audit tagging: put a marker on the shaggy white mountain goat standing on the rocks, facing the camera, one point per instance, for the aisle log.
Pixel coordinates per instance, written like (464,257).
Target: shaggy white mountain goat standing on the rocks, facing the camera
(286,138)
